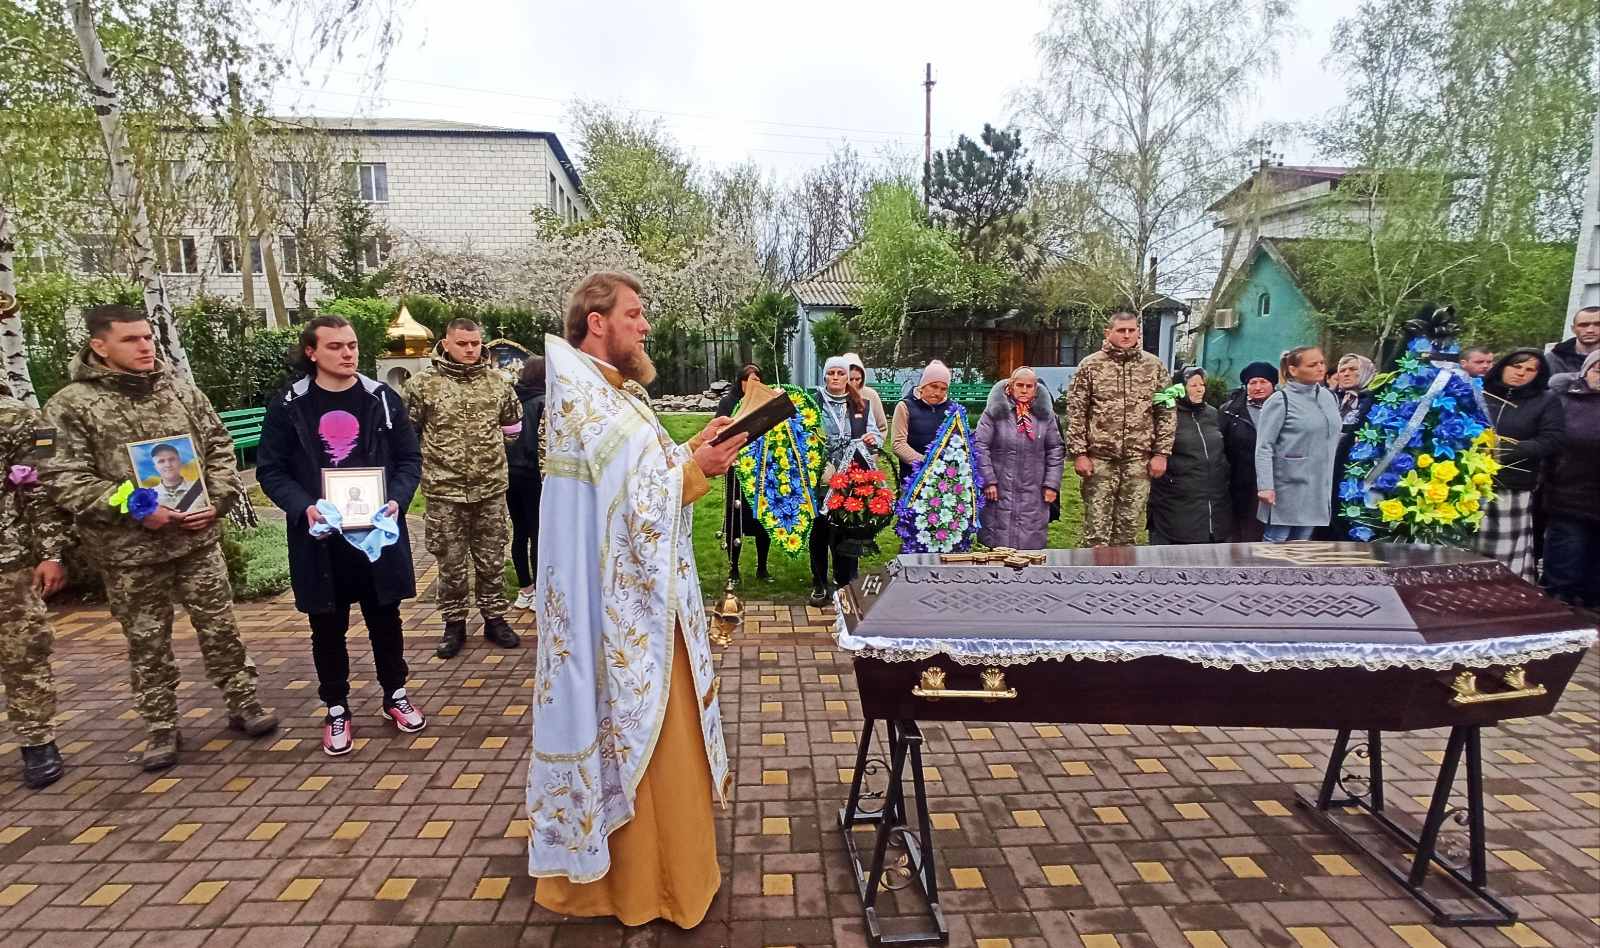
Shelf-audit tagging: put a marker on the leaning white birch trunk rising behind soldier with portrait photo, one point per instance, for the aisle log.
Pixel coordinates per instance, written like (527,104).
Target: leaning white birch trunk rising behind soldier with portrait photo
(126,188)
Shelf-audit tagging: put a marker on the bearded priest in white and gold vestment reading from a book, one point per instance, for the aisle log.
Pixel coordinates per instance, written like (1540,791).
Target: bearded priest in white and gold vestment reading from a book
(628,749)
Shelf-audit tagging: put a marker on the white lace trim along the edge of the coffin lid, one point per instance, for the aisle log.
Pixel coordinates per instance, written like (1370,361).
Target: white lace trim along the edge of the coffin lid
(1249,656)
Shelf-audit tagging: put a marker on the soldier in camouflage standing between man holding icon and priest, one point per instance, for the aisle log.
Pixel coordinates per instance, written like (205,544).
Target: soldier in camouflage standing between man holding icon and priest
(465,412)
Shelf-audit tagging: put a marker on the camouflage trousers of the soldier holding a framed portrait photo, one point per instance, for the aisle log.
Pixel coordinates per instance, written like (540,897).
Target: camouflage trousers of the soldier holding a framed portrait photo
(142,598)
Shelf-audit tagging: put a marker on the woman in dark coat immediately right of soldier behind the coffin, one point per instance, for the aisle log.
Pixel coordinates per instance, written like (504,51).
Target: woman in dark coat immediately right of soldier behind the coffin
(1191,502)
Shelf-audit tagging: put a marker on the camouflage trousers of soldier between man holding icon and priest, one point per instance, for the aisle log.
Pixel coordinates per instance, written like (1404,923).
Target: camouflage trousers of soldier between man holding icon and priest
(470,532)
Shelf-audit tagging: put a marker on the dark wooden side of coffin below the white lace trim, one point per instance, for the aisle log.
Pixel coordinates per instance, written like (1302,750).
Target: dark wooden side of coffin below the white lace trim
(1169,691)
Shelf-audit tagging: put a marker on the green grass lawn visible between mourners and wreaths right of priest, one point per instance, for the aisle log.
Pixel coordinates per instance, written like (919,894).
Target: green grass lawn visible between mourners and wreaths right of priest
(793,574)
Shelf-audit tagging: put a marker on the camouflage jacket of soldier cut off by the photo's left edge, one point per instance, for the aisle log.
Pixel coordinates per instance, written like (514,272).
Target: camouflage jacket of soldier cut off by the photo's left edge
(31,528)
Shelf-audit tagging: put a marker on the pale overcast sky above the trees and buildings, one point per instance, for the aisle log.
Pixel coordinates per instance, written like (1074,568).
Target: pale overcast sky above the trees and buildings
(740,81)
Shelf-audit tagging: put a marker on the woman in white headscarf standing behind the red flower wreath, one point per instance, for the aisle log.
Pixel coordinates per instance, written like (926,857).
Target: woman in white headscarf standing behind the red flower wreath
(849,440)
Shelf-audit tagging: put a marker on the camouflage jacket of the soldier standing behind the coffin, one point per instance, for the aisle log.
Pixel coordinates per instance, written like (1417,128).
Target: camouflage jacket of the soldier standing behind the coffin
(1111,411)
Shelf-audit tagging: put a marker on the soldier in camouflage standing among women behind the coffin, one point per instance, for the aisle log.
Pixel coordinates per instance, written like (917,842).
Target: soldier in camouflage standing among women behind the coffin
(1118,435)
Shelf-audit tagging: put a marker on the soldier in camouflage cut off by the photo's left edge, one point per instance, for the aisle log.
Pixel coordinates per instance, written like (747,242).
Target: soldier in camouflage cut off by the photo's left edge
(33,537)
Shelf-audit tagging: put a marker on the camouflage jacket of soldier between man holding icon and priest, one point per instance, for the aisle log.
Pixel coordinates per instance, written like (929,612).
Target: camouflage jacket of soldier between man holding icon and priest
(462,416)
